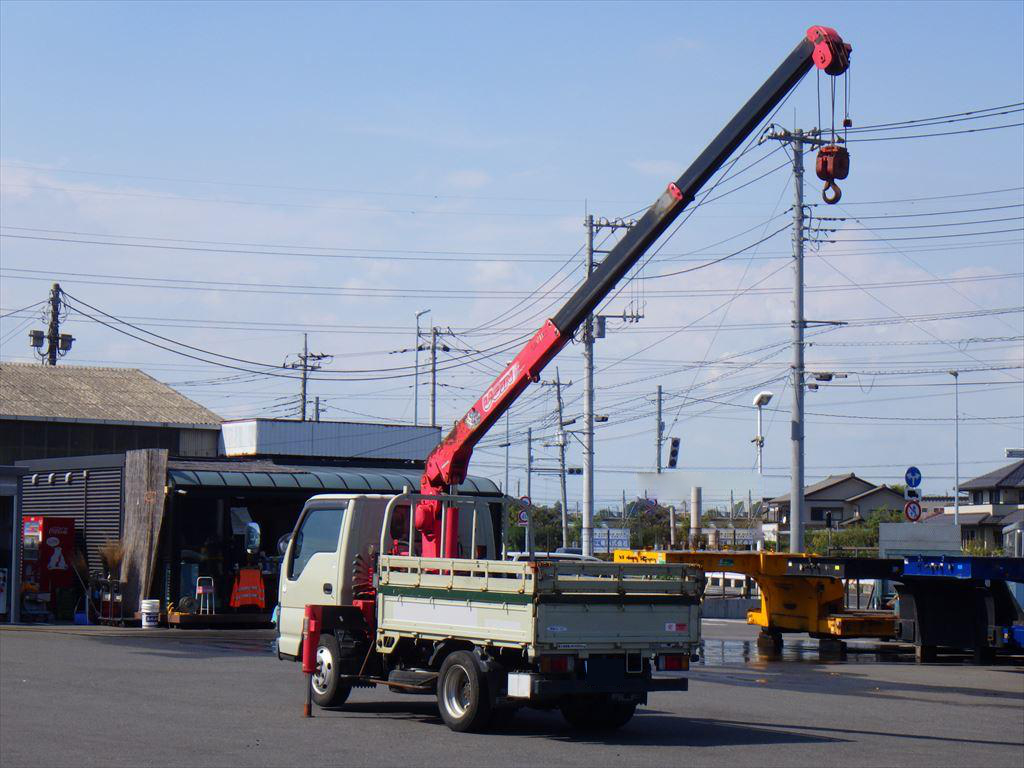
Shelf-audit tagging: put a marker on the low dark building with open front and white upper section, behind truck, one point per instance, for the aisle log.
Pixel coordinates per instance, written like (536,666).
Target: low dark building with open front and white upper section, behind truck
(182,519)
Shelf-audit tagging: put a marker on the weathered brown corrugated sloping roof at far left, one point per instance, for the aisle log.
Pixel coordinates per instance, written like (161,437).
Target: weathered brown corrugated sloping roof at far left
(113,396)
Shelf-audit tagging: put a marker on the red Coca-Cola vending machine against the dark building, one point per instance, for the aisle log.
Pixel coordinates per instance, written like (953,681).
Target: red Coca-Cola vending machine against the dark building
(48,551)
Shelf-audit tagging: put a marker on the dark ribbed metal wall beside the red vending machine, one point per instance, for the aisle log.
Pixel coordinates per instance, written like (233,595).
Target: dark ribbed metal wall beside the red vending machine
(92,497)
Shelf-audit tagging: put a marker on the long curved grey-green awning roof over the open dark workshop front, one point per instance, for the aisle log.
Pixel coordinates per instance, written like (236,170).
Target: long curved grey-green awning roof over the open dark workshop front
(315,480)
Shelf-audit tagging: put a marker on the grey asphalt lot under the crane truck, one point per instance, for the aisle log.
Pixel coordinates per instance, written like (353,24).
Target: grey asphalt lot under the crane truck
(84,697)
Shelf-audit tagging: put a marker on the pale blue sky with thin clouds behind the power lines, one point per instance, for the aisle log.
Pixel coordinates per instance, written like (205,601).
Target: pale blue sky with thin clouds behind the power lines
(492,129)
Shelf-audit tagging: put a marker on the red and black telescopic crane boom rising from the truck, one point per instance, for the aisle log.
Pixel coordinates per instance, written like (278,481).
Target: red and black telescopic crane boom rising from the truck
(448,464)
